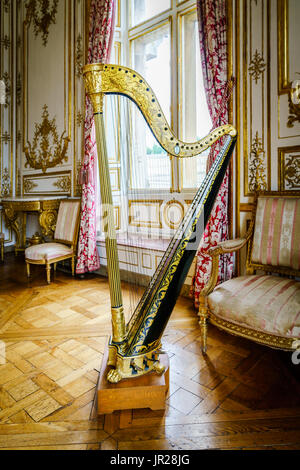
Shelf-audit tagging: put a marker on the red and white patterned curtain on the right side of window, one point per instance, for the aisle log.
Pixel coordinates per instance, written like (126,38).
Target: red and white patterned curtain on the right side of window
(213,46)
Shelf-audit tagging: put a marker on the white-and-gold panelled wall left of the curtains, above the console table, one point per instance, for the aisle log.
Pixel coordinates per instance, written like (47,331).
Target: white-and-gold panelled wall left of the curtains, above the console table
(43,47)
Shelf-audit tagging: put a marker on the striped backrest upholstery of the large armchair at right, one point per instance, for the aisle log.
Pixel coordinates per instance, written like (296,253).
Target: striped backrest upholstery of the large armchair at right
(276,240)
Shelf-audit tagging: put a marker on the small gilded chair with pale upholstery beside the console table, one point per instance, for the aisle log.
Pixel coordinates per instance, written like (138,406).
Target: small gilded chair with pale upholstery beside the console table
(65,240)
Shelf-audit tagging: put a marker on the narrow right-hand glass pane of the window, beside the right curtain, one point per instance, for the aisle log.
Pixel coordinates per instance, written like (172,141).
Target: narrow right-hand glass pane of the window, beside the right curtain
(196,121)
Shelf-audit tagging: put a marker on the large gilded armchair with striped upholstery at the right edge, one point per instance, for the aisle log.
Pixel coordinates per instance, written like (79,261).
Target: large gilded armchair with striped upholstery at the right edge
(264,304)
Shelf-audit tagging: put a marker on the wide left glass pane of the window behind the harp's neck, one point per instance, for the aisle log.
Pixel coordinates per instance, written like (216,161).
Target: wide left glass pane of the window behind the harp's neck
(150,164)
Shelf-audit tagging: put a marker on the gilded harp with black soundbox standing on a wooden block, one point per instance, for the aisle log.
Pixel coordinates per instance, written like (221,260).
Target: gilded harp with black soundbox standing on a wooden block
(134,347)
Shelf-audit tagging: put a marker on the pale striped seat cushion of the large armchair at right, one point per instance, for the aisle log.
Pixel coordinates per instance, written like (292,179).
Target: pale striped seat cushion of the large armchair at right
(265,303)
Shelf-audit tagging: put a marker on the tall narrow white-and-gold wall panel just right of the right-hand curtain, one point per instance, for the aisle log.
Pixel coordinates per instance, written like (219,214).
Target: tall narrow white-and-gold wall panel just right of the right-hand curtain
(256,112)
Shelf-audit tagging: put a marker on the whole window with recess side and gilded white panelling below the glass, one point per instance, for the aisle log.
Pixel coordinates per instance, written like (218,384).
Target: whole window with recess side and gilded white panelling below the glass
(151,189)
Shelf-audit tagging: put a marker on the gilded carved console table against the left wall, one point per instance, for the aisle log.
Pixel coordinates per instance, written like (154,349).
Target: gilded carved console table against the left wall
(15,212)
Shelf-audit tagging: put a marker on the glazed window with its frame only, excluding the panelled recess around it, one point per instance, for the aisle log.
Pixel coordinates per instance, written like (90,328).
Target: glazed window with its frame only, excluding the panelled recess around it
(164,49)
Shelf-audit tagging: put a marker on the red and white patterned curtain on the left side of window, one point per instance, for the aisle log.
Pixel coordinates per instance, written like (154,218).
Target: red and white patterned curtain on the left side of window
(102,15)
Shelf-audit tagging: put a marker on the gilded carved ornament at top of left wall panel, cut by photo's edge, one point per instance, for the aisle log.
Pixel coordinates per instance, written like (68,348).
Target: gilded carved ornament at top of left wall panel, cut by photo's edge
(42,14)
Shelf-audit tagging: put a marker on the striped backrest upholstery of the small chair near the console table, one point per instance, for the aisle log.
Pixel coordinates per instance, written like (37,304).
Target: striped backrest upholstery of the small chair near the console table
(67,220)
